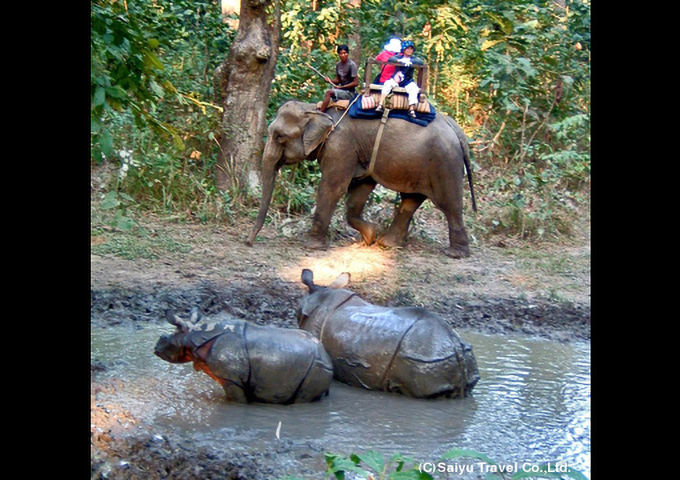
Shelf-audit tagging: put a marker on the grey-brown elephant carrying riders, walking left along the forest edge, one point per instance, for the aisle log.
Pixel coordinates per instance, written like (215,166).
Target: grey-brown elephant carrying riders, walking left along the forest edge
(419,162)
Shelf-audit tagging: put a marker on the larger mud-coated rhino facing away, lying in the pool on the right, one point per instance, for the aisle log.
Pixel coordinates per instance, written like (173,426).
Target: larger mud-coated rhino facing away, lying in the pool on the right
(406,350)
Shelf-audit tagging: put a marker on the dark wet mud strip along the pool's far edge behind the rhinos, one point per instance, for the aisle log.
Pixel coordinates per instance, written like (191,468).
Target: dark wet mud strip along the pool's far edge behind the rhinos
(276,304)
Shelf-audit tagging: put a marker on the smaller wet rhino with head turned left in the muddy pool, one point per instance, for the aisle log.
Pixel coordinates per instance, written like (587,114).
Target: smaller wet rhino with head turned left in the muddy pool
(253,363)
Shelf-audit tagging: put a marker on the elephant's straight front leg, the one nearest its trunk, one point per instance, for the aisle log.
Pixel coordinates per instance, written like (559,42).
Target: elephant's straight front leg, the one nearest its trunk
(331,188)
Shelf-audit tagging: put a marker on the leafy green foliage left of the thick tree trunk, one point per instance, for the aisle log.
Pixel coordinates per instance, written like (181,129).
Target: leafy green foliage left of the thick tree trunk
(156,60)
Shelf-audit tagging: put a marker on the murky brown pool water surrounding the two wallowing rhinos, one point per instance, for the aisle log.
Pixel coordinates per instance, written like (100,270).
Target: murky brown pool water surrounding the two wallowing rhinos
(532,404)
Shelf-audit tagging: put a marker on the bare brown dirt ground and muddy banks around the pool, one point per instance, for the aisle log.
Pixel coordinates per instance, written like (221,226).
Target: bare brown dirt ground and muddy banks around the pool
(504,287)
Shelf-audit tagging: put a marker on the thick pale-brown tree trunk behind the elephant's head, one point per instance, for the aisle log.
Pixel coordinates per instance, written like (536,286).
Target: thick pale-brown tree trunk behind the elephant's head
(243,82)
